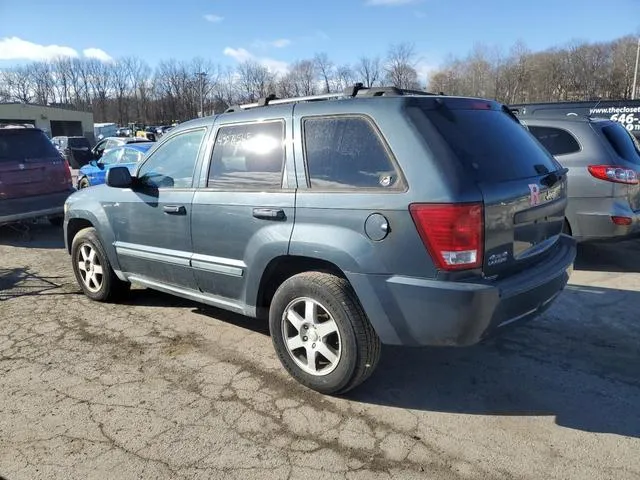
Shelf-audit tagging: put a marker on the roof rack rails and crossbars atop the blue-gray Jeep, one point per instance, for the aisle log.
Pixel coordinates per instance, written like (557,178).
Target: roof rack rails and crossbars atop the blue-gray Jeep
(357,90)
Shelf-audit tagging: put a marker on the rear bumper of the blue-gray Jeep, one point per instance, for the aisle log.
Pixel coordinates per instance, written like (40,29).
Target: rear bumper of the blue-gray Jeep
(416,311)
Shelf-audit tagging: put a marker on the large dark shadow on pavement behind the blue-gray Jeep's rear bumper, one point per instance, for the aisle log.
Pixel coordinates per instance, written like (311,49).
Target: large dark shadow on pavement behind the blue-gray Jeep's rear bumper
(579,363)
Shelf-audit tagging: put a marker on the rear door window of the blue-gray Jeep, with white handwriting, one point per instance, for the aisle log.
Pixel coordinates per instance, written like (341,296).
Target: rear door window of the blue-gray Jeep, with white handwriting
(248,156)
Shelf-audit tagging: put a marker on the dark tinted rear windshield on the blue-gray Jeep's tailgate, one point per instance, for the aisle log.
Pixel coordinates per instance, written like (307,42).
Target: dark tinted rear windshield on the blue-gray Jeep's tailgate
(488,142)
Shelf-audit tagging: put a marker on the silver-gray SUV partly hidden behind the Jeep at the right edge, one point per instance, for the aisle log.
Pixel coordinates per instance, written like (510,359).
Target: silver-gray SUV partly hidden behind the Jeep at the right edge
(604,165)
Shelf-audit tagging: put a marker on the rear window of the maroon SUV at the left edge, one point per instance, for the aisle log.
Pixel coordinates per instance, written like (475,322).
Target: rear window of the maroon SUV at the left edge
(25,144)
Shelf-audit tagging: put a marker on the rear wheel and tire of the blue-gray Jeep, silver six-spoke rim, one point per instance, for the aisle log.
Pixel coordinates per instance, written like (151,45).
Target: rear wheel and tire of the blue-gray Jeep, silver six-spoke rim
(321,333)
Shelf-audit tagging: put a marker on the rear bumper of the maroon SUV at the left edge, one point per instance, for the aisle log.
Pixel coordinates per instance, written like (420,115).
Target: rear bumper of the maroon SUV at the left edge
(18,209)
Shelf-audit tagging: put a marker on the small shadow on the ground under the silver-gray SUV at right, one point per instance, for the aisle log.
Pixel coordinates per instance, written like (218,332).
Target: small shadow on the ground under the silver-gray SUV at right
(618,257)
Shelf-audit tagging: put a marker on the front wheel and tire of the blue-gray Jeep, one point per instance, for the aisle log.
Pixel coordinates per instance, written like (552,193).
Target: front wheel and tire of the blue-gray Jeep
(92,268)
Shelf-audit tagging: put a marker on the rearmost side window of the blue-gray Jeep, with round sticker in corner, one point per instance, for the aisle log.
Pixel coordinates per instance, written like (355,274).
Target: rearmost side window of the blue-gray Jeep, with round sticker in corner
(346,152)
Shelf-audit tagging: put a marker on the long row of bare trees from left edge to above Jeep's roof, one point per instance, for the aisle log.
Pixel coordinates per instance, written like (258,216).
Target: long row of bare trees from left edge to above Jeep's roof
(129,90)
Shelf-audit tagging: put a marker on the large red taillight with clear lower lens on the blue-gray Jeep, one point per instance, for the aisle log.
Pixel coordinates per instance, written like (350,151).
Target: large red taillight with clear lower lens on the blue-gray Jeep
(452,233)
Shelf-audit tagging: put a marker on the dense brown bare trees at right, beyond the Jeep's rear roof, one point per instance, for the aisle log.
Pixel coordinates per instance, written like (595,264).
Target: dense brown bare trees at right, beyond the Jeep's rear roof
(577,71)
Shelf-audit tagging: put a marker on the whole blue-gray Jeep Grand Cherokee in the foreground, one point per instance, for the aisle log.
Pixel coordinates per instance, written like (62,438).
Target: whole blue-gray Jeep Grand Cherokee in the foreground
(349,220)
